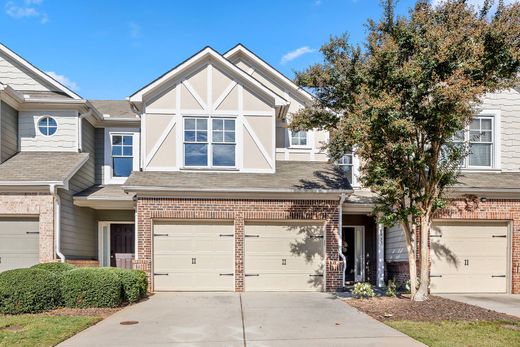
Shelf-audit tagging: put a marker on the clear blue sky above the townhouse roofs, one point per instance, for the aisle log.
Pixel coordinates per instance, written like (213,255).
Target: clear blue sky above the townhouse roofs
(107,49)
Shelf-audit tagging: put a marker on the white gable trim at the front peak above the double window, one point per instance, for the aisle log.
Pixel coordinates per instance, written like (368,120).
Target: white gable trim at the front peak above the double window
(205,53)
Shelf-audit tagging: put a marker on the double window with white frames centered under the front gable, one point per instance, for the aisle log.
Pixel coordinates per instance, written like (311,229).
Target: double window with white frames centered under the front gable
(209,142)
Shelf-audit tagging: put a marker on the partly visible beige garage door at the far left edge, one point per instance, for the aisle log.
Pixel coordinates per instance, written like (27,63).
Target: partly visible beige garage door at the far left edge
(19,240)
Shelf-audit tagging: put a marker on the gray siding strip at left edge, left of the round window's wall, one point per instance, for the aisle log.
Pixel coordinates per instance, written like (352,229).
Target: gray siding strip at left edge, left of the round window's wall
(9,131)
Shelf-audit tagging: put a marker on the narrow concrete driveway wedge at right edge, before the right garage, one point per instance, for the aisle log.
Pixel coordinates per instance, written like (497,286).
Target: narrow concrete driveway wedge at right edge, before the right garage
(505,303)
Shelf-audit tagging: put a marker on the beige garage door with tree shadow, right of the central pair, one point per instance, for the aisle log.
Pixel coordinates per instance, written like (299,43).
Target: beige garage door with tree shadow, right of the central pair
(284,257)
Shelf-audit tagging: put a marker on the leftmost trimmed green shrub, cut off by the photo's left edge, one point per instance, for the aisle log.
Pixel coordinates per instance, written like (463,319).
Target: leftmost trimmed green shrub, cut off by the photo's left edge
(29,291)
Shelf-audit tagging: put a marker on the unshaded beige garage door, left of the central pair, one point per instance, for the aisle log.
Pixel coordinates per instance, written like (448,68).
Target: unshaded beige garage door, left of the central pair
(193,256)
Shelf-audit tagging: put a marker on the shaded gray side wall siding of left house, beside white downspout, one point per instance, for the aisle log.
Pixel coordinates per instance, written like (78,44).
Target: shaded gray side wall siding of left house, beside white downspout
(78,224)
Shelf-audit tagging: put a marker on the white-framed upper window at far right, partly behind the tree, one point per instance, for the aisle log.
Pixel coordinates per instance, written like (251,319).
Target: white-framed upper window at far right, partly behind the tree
(480,139)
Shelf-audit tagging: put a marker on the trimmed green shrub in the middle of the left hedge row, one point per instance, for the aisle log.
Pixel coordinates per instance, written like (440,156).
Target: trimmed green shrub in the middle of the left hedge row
(91,287)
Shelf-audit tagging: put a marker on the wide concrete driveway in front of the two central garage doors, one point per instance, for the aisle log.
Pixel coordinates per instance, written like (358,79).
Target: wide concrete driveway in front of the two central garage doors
(248,319)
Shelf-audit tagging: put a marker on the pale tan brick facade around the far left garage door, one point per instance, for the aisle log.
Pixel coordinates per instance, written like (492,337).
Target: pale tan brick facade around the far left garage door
(33,205)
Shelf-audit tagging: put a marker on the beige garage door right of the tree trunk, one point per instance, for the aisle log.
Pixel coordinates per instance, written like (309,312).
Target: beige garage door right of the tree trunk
(469,257)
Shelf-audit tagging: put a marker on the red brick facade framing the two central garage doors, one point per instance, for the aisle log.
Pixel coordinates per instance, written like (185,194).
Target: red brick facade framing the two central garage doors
(239,211)
